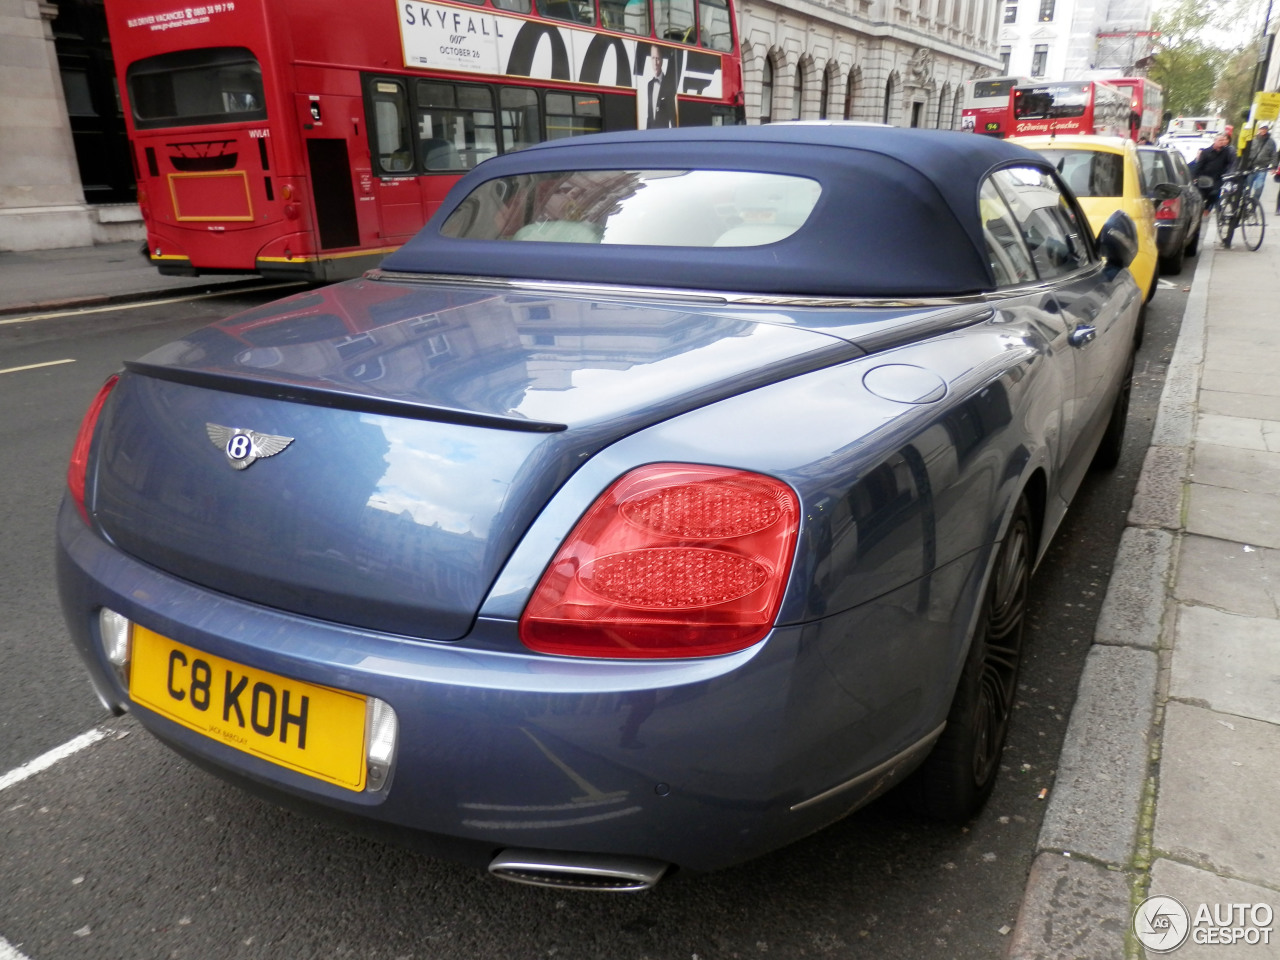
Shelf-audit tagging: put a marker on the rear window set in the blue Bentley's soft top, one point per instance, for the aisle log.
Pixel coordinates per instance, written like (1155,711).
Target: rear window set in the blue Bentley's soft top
(638,208)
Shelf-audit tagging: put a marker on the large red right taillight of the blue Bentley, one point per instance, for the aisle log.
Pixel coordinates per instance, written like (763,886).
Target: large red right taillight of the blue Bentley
(674,560)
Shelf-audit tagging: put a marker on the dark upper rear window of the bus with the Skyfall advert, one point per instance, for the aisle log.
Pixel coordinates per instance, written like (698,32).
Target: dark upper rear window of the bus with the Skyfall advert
(216,85)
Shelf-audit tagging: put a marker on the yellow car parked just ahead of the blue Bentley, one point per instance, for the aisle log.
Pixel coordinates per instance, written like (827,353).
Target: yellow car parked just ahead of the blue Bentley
(1107,176)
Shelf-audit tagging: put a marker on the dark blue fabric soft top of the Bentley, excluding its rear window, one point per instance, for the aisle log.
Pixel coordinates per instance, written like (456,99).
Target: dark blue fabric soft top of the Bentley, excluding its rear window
(898,217)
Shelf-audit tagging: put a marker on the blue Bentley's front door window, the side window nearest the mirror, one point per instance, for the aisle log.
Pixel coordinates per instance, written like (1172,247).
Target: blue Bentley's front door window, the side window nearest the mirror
(1049,223)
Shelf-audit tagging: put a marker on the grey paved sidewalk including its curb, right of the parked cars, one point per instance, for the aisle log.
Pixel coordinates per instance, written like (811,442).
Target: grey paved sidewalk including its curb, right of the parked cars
(1169,783)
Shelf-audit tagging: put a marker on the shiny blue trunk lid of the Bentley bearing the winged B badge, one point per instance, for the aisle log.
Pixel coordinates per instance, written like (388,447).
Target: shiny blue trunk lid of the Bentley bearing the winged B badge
(372,454)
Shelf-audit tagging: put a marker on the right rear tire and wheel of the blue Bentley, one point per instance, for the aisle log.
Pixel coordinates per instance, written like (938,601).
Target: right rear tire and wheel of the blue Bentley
(959,774)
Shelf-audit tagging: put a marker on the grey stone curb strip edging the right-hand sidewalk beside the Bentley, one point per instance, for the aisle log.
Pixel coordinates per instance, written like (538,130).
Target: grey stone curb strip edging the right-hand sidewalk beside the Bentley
(1077,903)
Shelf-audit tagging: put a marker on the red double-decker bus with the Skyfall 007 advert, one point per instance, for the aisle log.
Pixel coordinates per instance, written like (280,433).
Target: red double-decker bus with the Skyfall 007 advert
(308,139)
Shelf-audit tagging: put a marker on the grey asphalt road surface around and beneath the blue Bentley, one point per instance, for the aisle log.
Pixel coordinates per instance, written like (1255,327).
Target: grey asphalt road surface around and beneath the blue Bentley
(124,851)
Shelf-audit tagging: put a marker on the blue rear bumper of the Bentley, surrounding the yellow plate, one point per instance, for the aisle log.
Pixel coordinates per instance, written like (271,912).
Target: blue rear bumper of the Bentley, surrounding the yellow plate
(700,764)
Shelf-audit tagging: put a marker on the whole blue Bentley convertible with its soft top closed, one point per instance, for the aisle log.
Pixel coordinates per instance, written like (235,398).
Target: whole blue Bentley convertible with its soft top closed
(669,497)
